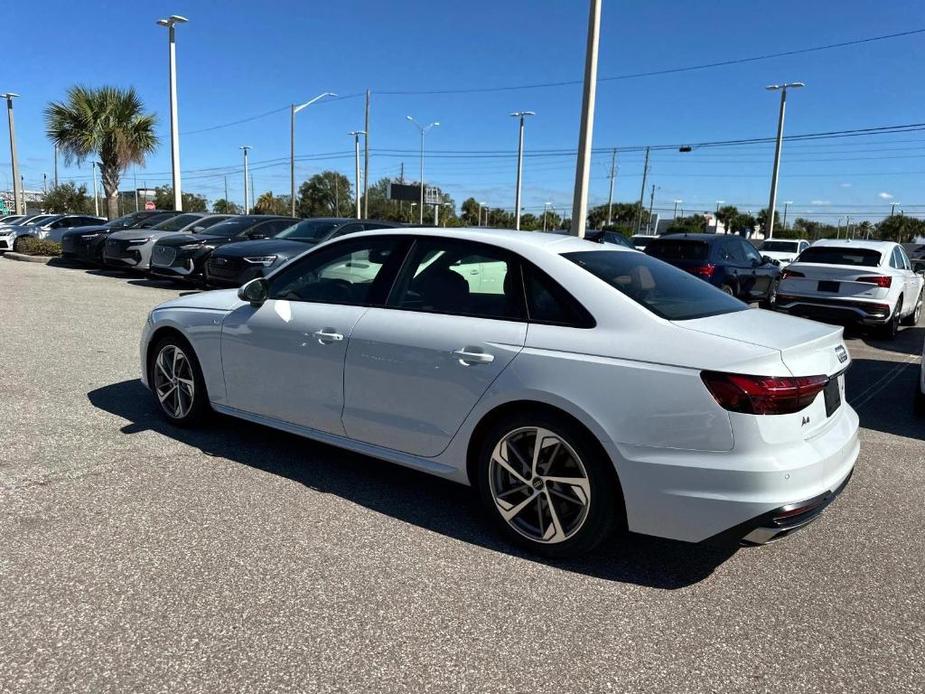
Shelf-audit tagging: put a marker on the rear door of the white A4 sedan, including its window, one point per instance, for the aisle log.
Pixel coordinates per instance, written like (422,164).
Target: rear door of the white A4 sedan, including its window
(416,368)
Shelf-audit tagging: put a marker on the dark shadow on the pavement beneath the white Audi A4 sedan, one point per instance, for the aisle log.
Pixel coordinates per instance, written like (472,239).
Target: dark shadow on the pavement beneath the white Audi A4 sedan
(408,495)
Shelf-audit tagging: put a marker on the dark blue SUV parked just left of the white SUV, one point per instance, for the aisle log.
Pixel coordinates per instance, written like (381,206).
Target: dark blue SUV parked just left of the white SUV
(726,261)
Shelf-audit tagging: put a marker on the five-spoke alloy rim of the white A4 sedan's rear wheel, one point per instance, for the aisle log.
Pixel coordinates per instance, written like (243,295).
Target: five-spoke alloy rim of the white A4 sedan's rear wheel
(539,485)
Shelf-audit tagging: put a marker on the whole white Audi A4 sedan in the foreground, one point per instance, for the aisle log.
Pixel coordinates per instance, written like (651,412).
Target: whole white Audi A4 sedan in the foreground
(581,388)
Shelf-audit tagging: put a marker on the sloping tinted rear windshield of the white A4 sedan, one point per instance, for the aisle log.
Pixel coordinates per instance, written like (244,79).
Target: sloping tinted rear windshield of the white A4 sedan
(665,290)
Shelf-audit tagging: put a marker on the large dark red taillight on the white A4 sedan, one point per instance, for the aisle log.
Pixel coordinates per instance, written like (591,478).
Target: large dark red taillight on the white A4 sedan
(763,394)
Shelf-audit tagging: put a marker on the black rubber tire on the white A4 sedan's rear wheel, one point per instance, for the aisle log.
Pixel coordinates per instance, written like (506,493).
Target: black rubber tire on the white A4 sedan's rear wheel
(603,513)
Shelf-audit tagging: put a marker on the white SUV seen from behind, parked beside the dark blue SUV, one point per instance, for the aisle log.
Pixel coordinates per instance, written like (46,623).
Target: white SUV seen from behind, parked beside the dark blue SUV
(867,282)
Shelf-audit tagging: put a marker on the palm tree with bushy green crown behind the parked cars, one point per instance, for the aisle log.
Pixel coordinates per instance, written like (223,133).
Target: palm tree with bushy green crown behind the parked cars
(107,122)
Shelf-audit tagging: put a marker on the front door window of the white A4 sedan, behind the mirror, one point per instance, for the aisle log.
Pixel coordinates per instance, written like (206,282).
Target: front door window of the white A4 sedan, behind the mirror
(353,272)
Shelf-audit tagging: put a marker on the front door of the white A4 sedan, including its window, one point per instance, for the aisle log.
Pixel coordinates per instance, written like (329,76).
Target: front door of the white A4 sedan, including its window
(285,359)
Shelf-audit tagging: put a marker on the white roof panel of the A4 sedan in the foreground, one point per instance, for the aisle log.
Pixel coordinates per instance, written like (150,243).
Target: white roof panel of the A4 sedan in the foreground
(506,238)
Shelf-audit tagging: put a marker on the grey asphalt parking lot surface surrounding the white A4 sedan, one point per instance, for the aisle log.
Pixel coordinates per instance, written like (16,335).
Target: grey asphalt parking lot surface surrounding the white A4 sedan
(138,557)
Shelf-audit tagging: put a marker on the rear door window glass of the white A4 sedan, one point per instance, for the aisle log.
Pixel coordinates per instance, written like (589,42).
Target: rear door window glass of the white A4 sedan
(462,278)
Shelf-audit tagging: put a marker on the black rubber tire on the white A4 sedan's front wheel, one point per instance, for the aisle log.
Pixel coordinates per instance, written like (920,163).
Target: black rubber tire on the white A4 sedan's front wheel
(191,410)
